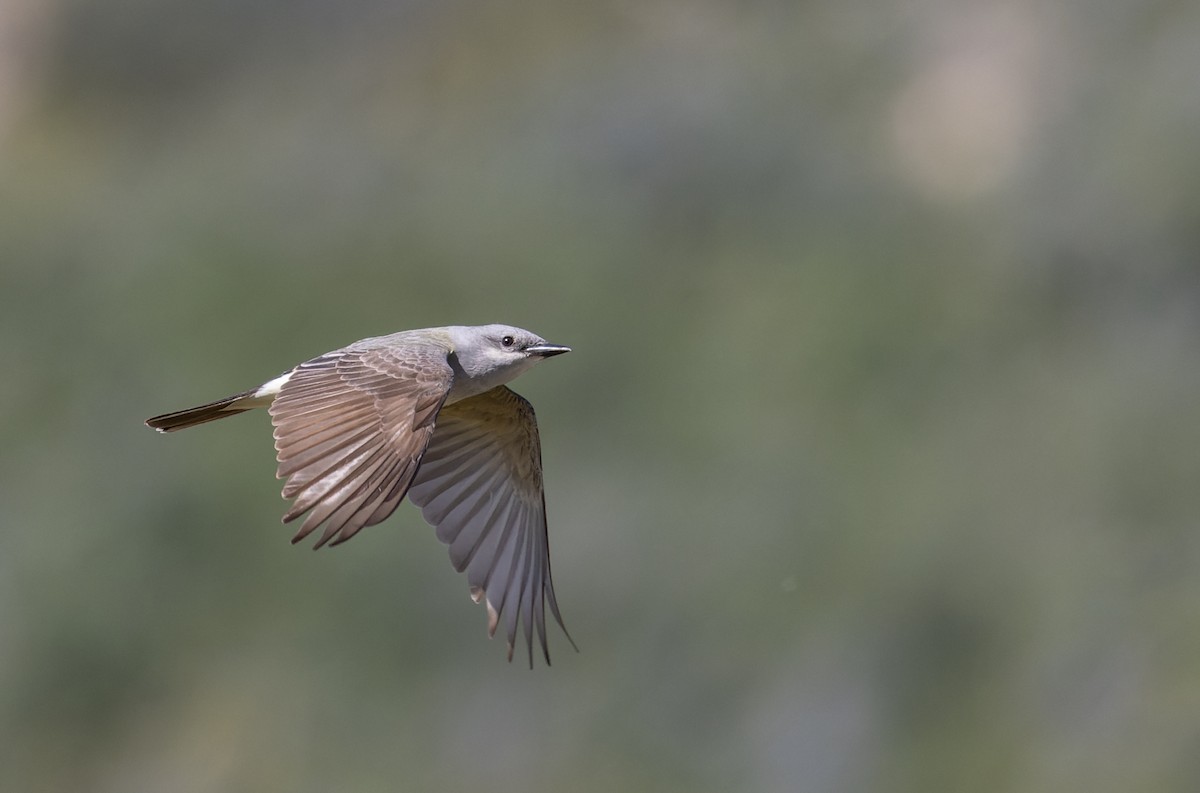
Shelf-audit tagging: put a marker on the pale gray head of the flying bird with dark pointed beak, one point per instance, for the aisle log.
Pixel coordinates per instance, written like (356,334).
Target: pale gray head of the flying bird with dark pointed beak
(491,356)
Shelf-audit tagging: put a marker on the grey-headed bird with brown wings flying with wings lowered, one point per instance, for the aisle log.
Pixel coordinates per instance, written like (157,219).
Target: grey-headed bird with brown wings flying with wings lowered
(424,413)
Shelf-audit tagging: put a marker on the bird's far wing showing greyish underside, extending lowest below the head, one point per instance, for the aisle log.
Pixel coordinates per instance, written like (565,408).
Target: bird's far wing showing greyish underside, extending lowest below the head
(481,486)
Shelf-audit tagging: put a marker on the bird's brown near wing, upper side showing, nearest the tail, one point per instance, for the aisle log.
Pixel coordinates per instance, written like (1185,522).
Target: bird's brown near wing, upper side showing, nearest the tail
(351,429)
